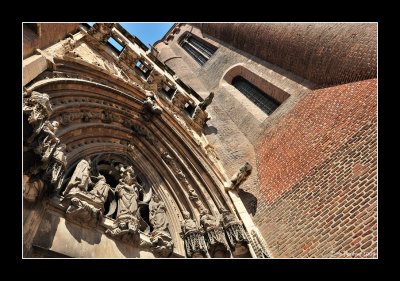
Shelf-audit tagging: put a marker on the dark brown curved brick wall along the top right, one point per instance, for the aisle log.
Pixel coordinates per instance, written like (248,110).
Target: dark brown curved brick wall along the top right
(326,54)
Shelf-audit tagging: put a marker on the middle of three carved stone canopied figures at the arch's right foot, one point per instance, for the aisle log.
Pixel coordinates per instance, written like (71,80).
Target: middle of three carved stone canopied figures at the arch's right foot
(214,236)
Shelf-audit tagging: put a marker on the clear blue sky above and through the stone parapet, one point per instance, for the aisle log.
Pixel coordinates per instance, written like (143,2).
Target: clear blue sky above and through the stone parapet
(148,32)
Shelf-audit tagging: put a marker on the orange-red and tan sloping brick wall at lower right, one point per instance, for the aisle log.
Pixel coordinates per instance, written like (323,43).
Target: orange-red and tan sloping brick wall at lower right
(317,170)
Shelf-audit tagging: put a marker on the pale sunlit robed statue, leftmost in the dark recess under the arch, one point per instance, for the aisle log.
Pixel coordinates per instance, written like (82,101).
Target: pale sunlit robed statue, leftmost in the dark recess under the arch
(80,178)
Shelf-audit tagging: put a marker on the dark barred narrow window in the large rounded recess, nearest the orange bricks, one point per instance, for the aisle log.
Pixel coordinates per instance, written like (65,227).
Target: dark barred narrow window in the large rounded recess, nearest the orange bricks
(258,97)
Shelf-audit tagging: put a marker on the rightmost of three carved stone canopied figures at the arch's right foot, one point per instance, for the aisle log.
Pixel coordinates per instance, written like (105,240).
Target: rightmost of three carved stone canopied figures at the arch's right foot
(235,233)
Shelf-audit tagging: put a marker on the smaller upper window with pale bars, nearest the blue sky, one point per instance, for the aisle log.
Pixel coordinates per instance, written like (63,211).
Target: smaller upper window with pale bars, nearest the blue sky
(199,50)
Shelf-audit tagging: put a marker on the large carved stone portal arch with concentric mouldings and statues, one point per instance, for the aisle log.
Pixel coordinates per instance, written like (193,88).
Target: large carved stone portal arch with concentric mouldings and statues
(104,115)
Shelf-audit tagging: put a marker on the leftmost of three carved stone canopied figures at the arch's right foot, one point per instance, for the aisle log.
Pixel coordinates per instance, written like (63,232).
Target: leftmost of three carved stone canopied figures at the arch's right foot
(193,237)
